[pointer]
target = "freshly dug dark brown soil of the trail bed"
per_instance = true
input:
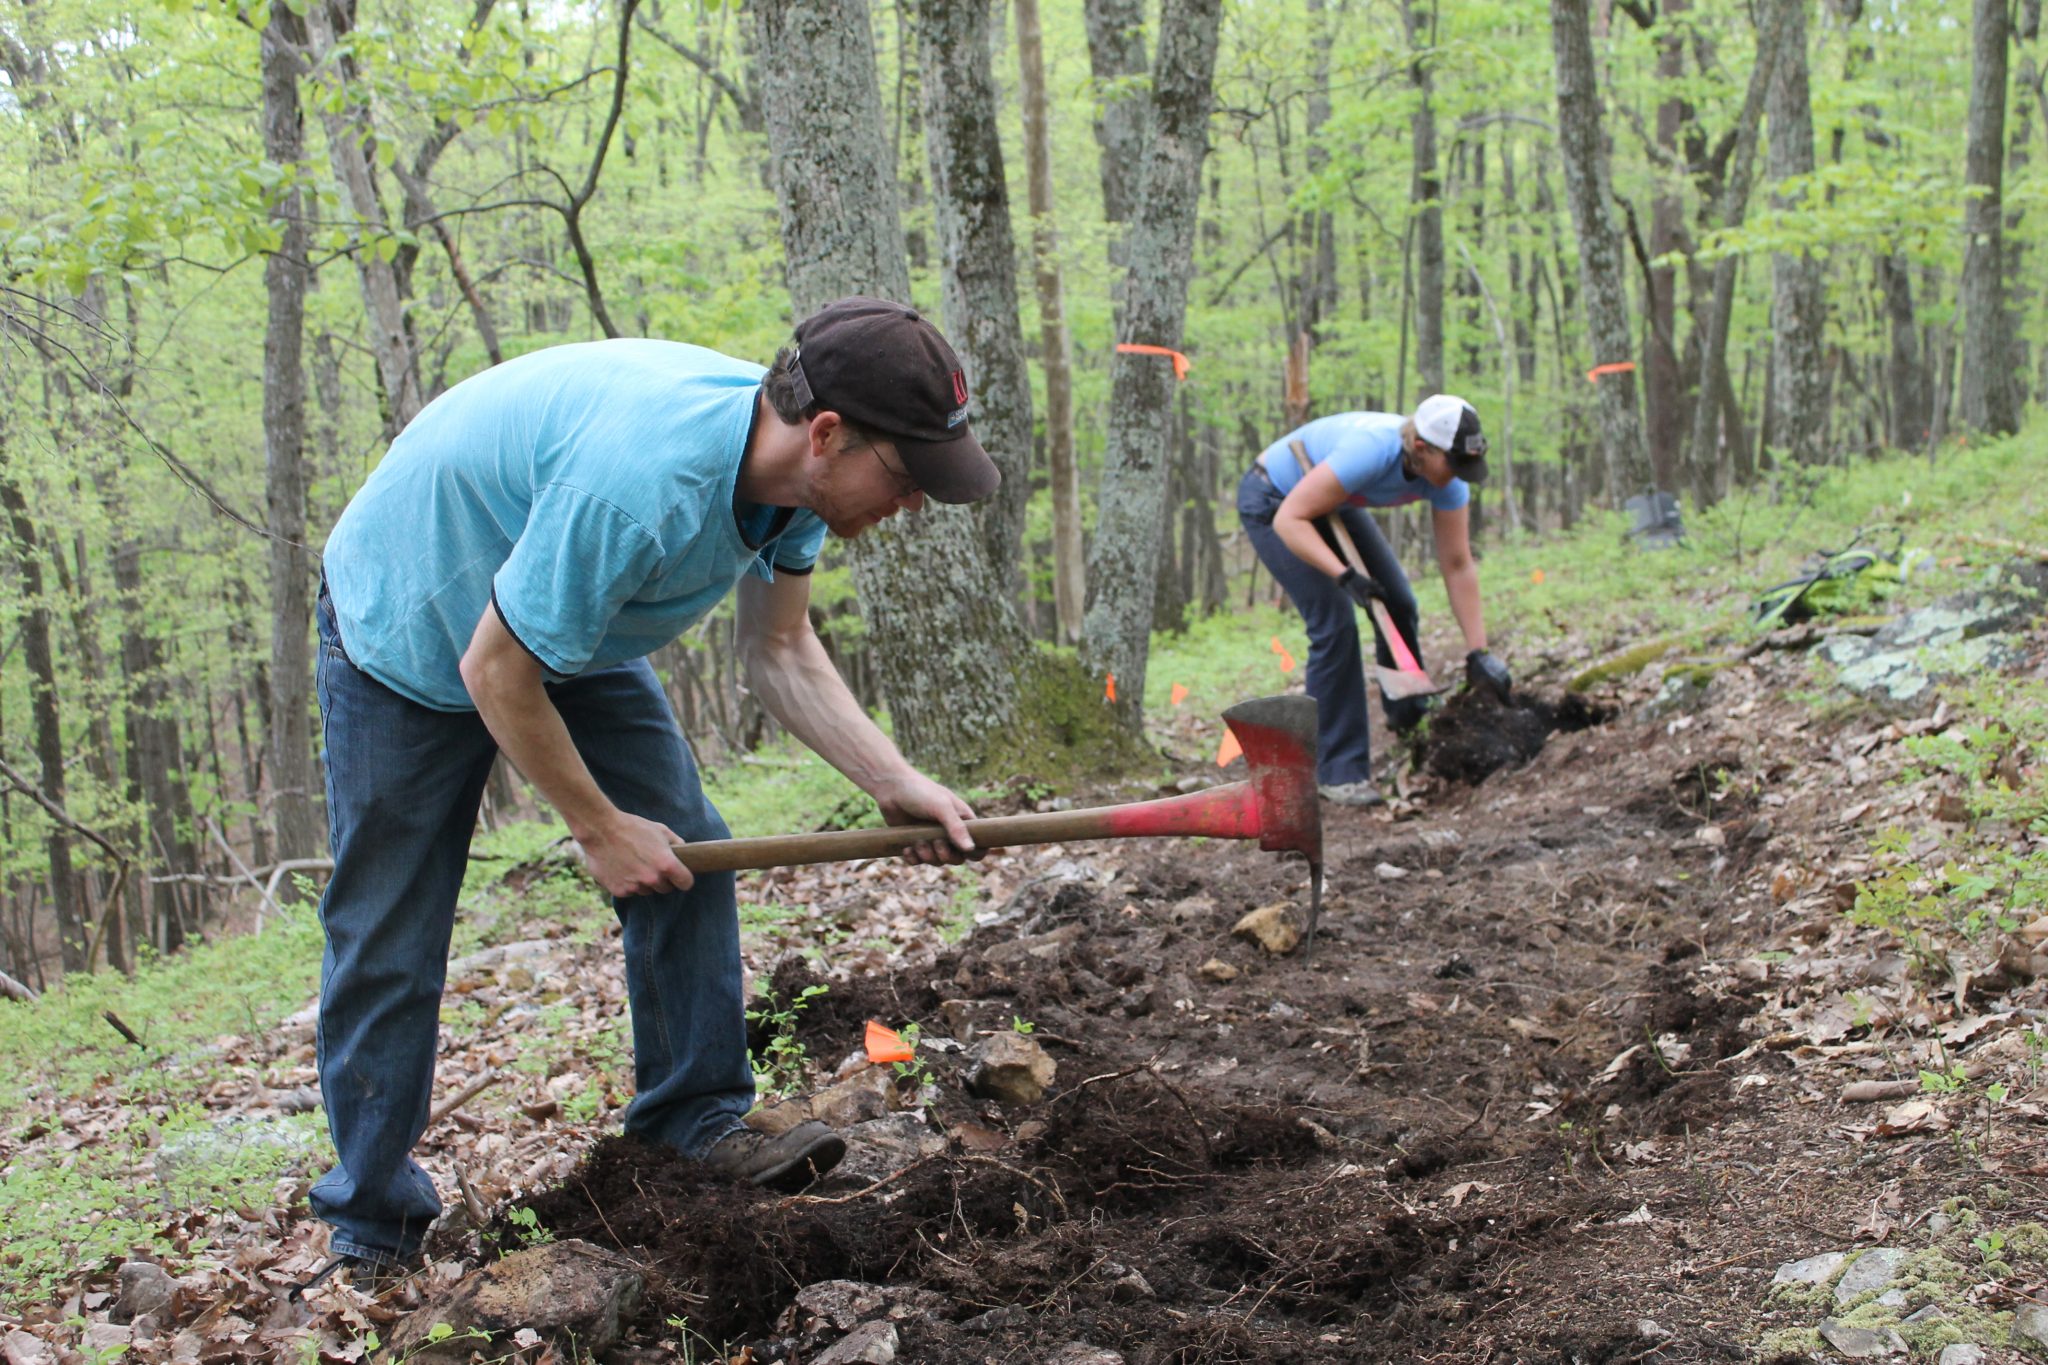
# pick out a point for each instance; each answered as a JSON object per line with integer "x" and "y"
{"x": 1514, "y": 1108}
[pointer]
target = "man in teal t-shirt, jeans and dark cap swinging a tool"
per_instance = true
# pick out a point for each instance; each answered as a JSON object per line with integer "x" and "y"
{"x": 497, "y": 588}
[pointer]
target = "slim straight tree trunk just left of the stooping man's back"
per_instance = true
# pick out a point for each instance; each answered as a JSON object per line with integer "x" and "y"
{"x": 294, "y": 809}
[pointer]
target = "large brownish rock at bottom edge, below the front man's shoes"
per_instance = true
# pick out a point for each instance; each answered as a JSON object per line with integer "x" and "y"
{"x": 572, "y": 1292}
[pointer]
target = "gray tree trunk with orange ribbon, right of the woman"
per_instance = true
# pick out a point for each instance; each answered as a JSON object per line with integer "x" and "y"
{"x": 1603, "y": 269}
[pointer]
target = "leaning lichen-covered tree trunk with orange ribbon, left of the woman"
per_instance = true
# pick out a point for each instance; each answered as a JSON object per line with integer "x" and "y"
{"x": 1125, "y": 556}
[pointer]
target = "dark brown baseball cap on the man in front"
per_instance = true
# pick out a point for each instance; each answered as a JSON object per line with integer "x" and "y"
{"x": 888, "y": 369}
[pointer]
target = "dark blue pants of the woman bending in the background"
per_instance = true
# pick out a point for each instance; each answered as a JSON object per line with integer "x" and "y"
{"x": 1336, "y": 678}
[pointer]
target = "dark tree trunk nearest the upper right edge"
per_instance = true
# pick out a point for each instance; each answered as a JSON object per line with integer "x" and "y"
{"x": 1990, "y": 388}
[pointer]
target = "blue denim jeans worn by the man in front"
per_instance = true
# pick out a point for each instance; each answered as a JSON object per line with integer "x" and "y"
{"x": 404, "y": 785}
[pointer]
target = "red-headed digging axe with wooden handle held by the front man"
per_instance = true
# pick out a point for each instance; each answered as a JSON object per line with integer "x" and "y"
{"x": 1277, "y": 805}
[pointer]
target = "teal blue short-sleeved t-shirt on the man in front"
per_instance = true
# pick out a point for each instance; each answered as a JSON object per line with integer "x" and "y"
{"x": 589, "y": 490}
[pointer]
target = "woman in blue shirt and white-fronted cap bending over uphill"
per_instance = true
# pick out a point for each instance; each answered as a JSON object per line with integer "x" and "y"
{"x": 1359, "y": 461}
